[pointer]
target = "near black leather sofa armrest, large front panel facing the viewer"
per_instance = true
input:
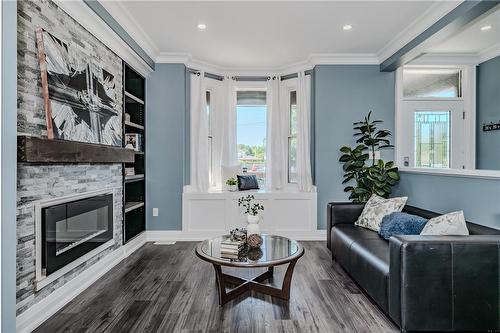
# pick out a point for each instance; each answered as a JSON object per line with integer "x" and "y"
{"x": 448, "y": 283}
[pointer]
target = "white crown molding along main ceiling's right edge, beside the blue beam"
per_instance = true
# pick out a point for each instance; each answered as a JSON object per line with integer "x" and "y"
{"x": 420, "y": 24}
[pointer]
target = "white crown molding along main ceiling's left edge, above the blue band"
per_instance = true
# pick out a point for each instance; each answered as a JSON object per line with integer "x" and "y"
{"x": 123, "y": 16}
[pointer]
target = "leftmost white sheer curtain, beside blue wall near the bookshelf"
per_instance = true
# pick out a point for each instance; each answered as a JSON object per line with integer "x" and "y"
{"x": 199, "y": 135}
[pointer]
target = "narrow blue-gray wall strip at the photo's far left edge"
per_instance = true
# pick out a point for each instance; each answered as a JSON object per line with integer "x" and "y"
{"x": 9, "y": 132}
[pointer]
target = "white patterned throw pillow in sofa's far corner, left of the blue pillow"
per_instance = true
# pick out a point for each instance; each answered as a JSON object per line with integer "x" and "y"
{"x": 376, "y": 208}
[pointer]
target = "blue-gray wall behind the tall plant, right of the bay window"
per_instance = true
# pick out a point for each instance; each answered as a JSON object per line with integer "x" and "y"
{"x": 342, "y": 95}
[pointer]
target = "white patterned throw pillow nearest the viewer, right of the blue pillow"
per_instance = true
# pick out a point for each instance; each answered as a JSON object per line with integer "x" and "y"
{"x": 451, "y": 224}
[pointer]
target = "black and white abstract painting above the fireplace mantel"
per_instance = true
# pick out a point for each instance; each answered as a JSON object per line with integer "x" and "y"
{"x": 80, "y": 96}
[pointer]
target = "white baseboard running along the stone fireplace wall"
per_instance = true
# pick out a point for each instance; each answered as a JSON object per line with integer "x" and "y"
{"x": 43, "y": 310}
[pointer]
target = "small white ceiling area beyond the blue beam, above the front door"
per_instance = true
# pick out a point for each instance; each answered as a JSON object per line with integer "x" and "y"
{"x": 471, "y": 39}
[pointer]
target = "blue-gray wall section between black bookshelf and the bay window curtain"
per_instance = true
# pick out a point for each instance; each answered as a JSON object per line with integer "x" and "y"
{"x": 166, "y": 145}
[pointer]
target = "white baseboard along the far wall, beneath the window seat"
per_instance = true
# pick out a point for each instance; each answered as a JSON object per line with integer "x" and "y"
{"x": 178, "y": 235}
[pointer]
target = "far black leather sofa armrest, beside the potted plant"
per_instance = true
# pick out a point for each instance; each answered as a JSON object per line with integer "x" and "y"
{"x": 341, "y": 213}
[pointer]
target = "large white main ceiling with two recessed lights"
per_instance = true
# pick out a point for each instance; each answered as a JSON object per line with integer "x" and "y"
{"x": 268, "y": 34}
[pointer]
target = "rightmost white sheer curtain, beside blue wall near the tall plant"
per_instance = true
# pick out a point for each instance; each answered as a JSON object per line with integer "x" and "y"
{"x": 304, "y": 179}
